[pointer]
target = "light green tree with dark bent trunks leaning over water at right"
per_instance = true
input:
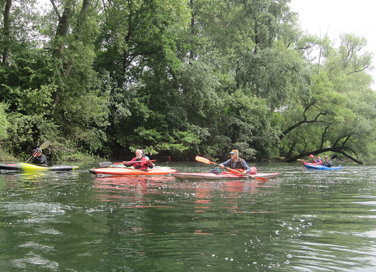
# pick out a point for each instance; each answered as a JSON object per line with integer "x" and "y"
{"x": 333, "y": 116}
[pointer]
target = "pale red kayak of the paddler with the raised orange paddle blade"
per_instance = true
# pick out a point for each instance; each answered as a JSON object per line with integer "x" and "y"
{"x": 224, "y": 176}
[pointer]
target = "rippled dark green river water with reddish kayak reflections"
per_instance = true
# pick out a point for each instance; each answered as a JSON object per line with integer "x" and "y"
{"x": 300, "y": 221}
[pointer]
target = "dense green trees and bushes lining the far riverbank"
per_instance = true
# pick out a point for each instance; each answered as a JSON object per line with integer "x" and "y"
{"x": 105, "y": 77}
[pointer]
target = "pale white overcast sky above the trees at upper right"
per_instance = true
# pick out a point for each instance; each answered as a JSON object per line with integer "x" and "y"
{"x": 337, "y": 17}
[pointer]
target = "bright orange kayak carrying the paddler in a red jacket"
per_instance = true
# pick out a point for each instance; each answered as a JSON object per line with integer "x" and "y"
{"x": 132, "y": 172}
